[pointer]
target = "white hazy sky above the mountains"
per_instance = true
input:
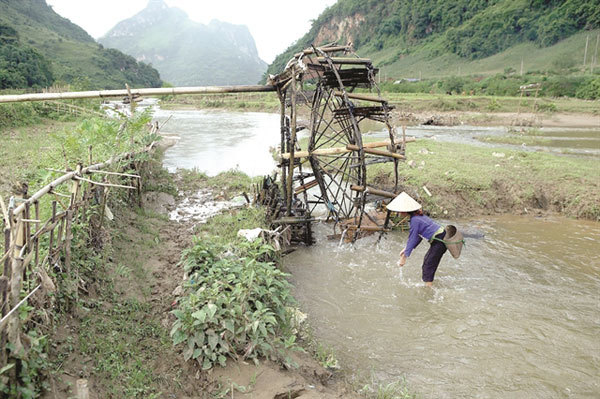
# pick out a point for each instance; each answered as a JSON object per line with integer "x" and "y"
{"x": 274, "y": 24}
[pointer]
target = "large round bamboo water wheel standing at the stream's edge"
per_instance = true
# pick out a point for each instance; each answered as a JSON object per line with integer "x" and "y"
{"x": 318, "y": 93}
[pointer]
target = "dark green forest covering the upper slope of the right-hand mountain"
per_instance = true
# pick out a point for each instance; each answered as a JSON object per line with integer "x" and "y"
{"x": 471, "y": 29}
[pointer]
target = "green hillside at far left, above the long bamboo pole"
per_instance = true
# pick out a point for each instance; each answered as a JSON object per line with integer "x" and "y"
{"x": 38, "y": 47}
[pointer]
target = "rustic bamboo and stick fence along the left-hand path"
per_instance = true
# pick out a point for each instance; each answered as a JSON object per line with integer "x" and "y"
{"x": 32, "y": 246}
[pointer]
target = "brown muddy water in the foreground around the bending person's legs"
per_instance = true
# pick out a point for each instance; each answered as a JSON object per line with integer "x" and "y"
{"x": 517, "y": 316}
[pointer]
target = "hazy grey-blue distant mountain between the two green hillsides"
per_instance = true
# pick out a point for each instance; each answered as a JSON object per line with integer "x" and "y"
{"x": 185, "y": 52}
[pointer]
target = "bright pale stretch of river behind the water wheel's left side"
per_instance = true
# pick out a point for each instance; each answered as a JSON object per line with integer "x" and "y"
{"x": 216, "y": 141}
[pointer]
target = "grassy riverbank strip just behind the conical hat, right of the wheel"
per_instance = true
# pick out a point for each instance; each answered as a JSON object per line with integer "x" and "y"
{"x": 467, "y": 180}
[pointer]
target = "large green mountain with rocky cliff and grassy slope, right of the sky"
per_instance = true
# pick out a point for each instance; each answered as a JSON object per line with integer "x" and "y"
{"x": 440, "y": 37}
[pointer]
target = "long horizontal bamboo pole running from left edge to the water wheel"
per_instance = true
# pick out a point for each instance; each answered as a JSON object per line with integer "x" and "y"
{"x": 136, "y": 92}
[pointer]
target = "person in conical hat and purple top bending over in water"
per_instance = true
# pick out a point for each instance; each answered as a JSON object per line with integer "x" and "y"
{"x": 421, "y": 227}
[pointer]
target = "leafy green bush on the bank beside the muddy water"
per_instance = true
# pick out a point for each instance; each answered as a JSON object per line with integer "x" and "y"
{"x": 235, "y": 305}
